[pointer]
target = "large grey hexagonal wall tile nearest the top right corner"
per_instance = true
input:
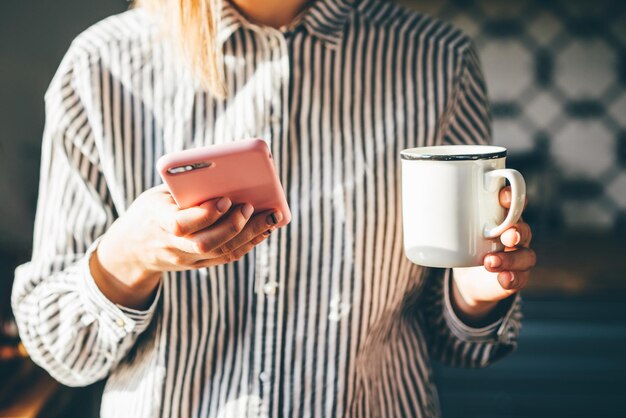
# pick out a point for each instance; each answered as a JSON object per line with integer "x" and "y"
{"x": 586, "y": 68}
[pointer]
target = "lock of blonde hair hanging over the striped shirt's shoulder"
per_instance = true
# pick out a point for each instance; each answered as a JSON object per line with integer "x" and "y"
{"x": 192, "y": 25}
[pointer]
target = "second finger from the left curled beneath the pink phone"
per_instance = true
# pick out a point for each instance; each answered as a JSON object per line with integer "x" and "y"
{"x": 208, "y": 240}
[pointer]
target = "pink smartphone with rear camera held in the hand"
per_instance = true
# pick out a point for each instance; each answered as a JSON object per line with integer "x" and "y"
{"x": 242, "y": 170}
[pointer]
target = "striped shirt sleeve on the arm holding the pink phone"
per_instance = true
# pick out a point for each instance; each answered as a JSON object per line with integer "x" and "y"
{"x": 66, "y": 324}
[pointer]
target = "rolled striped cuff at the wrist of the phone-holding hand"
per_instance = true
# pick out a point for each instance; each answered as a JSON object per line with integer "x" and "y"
{"x": 114, "y": 317}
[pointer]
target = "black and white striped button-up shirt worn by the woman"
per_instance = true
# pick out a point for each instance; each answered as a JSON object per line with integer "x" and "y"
{"x": 326, "y": 318}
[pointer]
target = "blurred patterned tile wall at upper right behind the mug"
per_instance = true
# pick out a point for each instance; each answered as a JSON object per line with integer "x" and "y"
{"x": 556, "y": 72}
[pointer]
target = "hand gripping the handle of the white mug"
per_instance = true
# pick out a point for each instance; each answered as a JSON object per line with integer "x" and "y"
{"x": 477, "y": 290}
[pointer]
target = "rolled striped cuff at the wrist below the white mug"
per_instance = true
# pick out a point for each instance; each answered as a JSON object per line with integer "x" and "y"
{"x": 504, "y": 330}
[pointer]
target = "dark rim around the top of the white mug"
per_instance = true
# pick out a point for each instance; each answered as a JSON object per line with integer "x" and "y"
{"x": 454, "y": 153}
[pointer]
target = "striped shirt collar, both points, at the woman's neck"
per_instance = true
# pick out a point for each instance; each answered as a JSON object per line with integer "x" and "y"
{"x": 324, "y": 19}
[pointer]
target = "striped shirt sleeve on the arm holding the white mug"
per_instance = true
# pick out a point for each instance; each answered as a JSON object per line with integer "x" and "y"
{"x": 467, "y": 121}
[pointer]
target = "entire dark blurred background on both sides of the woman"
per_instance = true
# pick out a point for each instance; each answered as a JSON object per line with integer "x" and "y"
{"x": 556, "y": 72}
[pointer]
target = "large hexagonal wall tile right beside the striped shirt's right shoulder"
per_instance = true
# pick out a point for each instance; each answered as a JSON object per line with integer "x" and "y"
{"x": 508, "y": 68}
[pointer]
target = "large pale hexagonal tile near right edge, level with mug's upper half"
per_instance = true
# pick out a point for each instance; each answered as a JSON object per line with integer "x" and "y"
{"x": 584, "y": 148}
